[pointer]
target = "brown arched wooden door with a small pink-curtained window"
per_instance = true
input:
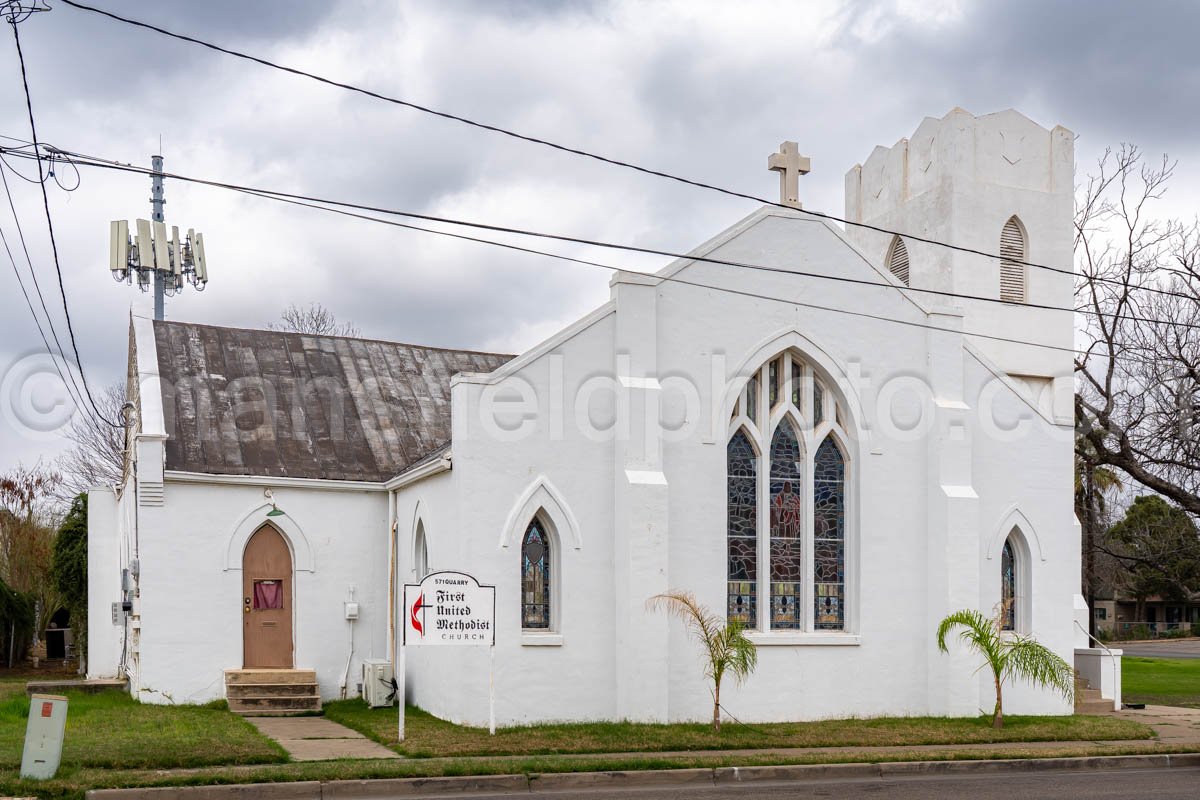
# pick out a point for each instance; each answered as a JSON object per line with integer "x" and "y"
{"x": 267, "y": 601}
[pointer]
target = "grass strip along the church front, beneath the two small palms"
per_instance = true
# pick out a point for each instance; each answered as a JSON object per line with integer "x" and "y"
{"x": 429, "y": 737}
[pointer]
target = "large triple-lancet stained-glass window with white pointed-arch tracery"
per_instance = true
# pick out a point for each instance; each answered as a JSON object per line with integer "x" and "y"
{"x": 787, "y": 489}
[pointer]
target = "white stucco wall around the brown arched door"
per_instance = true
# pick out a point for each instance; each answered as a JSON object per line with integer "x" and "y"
{"x": 190, "y": 603}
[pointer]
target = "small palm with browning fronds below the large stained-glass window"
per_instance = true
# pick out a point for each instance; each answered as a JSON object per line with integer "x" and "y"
{"x": 727, "y": 647}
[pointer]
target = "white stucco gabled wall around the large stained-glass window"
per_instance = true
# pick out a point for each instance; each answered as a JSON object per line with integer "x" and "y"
{"x": 926, "y": 507}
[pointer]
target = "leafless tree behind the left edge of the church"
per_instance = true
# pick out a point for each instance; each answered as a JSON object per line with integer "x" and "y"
{"x": 98, "y": 453}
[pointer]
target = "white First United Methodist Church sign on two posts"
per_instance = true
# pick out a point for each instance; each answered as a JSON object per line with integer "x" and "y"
{"x": 451, "y": 610}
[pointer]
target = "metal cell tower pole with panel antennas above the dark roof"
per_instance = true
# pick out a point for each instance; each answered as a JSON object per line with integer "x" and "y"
{"x": 152, "y": 257}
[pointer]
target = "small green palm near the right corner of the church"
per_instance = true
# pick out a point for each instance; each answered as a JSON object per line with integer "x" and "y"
{"x": 1009, "y": 657}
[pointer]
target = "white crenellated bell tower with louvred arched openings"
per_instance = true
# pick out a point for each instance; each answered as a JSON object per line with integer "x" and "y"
{"x": 999, "y": 184}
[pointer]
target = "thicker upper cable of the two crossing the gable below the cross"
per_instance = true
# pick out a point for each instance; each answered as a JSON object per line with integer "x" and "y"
{"x": 92, "y": 161}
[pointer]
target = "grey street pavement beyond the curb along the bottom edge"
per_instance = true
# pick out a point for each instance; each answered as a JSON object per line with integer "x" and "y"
{"x": 1177, "y": 784}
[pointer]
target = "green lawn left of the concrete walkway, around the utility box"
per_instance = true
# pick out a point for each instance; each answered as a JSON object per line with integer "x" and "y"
{"x": 113, "y": 731}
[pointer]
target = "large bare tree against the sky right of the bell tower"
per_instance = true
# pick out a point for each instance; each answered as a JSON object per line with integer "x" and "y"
{"x": 1139, "y": 375}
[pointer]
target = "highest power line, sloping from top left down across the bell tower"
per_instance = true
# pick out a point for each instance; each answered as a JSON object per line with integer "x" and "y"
{"x": 547, "y": 143}
